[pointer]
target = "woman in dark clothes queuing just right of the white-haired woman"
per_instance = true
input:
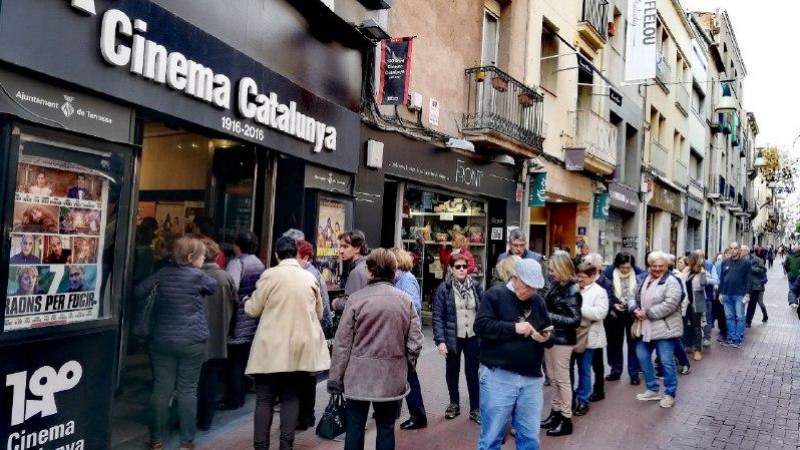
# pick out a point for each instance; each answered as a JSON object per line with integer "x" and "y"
{"x": 695, "y": 281}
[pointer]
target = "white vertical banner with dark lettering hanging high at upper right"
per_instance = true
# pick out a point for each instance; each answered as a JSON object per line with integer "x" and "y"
{"x": 640, "y": 63}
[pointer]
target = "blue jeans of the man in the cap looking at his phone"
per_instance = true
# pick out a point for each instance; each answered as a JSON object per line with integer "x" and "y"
{"x": 507, "y": 395}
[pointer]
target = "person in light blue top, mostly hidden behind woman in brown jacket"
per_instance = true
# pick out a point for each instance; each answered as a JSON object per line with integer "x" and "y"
{"x": 407, "y": 282}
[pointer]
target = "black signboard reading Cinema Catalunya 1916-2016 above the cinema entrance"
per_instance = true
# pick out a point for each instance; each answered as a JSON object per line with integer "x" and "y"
{"x": 186, "y": 73}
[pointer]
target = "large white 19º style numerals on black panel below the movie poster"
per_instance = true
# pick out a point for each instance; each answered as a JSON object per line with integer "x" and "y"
{"x": 44, "y": 383}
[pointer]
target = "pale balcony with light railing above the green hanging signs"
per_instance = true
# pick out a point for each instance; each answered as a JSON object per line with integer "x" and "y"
{"x": 598, "y": 136}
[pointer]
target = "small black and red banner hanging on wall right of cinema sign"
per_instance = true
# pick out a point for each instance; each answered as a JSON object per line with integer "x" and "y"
{"x": 395, "y": 71}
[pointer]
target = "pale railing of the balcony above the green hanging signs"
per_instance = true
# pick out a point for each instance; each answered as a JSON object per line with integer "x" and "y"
{"x": 595, "y": 133}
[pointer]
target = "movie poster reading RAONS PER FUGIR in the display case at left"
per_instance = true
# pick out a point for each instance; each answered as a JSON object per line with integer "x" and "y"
{"x": 60, "y": 211}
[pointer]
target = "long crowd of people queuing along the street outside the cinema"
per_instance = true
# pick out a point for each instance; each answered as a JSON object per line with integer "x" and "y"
{"x": 542, "y": 322}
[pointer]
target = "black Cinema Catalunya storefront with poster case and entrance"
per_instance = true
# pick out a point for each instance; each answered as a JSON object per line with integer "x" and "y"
{"x": 130, "y": 109}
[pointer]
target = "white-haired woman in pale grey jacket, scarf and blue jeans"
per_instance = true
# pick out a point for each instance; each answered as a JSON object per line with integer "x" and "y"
{"x": 657, "y": 306}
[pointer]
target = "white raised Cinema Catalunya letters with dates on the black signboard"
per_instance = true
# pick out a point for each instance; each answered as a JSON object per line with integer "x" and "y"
{"x": 123, "y": 44}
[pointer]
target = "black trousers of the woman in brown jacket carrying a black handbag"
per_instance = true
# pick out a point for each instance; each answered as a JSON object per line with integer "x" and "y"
{"x": 386, "y": 414}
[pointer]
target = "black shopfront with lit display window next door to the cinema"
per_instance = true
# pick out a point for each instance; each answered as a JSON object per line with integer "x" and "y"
{"x": 428, "y": 194}
